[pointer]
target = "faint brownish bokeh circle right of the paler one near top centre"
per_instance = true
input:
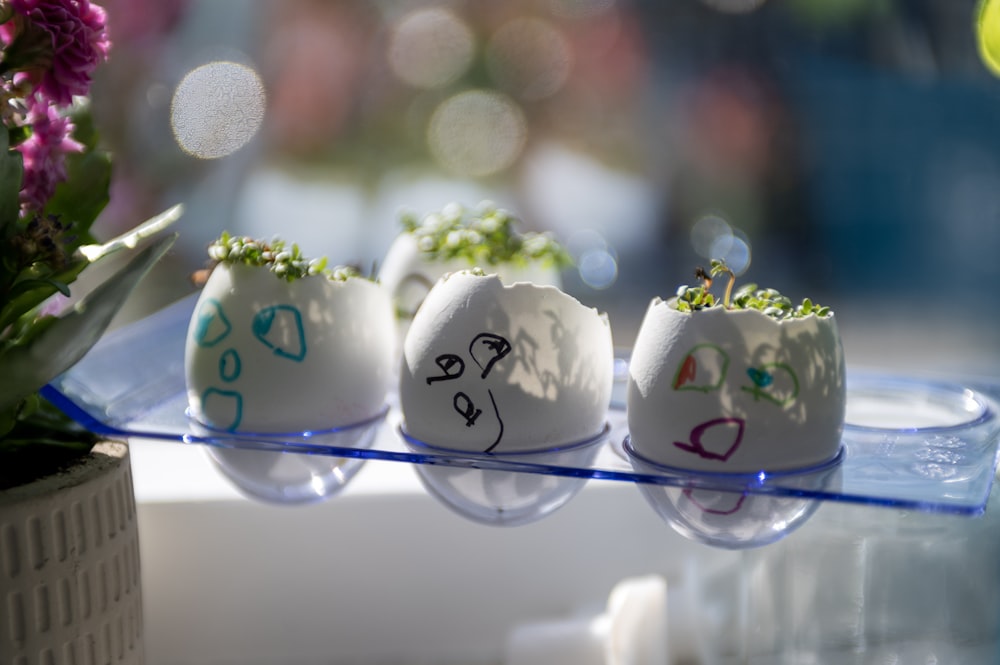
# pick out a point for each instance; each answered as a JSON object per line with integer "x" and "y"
{"x": 529, "y": 57}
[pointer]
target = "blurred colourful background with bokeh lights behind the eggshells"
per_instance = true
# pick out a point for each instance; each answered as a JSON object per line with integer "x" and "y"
{"x": 844, "y": 150}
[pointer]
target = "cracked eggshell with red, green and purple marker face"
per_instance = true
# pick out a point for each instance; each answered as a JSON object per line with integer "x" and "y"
{"x": 735, "y": 390}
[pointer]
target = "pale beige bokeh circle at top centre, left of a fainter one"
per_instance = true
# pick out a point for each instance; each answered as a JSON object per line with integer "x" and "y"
{"x": 430, "y": 48}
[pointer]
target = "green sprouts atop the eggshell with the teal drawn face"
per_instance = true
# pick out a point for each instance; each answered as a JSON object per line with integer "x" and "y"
{"x": 285, "y": 261}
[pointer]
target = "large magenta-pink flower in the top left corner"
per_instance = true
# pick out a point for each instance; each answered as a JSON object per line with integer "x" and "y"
{"x": 79, "y": 41}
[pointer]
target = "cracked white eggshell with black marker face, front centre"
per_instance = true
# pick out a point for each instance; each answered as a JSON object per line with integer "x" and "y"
{"x": 494, "y": 368}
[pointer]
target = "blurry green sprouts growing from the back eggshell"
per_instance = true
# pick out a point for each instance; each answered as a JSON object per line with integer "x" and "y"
{"x": 483, "y": 236}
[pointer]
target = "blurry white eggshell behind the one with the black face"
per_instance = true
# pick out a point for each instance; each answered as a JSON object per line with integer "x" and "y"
{"x": 409, "y": 275}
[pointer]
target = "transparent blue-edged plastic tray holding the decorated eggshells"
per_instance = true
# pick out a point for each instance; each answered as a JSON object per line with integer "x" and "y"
{"x": 911, "y": 443}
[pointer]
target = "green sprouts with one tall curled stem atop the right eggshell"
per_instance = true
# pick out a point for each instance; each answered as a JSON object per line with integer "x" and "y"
{"x": 748, "y": 296}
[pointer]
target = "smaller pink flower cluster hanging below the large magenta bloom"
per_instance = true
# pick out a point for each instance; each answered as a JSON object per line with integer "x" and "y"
{"x": 45, "y": 152}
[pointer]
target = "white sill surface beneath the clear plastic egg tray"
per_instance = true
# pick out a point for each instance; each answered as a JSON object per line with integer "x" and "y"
{"x": 381, "y": 573}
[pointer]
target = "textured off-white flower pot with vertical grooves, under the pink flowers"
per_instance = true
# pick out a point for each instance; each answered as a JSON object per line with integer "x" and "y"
{"x": 69, "y": 566}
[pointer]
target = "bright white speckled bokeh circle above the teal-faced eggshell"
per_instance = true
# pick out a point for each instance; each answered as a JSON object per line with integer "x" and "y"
{"x": 217, "y": 108}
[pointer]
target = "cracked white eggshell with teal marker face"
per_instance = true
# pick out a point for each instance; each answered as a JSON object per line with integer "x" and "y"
{"x": 266, "y": 355}
